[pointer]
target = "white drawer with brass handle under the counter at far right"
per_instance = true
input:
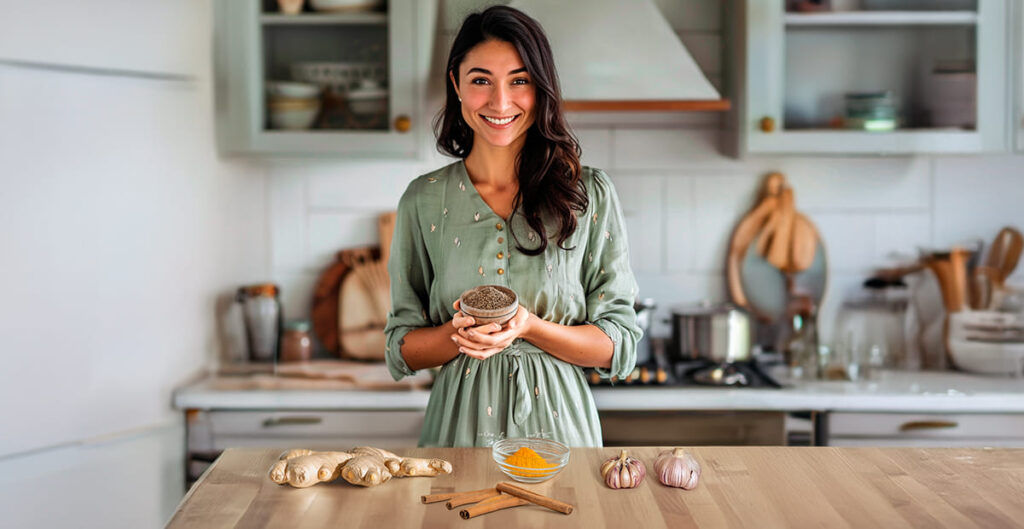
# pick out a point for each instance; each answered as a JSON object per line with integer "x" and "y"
{"x": 850, "y": 429}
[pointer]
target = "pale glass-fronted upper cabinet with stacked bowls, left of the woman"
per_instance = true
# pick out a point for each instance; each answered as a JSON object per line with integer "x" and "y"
{"x": 339, "y": 77}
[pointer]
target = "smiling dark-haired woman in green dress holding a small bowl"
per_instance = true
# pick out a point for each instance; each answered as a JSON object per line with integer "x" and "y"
{"x": 518, "y": 211}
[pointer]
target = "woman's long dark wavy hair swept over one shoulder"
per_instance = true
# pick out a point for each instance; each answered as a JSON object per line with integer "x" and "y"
{"x": 548, "y": 167}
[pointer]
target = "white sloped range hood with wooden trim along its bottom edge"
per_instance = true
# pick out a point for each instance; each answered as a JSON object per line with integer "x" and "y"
{"x": 621, "y": 56}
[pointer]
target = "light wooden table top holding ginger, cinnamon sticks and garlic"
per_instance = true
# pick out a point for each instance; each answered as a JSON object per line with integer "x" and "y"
{"x": 740, "y": 488}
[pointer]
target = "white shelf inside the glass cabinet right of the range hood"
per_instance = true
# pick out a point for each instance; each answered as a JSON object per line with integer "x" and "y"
{"x": 870, "y": 19}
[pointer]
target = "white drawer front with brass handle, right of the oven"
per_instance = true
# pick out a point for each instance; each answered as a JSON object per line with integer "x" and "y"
{"x": 926, "y": 426}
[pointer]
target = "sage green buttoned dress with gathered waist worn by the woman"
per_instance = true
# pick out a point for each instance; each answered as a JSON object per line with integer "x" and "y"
{"x": 448, "y": 240}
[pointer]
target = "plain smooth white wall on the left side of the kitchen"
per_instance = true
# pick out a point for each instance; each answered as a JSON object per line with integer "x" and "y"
{"x": 120, "y": 228}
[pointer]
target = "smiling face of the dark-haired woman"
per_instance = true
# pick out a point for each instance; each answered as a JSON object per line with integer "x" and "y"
{"x": 497, "y": 93}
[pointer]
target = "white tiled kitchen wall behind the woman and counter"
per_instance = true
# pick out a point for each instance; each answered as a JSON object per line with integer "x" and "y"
{"x": 681, "y": 197}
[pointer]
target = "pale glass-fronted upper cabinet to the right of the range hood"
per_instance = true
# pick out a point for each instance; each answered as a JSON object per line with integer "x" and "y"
{"x": 872, "y": 77}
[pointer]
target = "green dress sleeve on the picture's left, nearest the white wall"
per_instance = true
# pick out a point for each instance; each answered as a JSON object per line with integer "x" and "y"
{"x": 411, "y": 276}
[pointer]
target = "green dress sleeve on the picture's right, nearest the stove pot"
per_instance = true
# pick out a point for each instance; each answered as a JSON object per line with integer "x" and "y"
{"x": 608, "y": 278}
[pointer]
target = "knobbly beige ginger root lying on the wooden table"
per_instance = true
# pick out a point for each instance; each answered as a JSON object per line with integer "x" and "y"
{"x": 364, "y": 466}
